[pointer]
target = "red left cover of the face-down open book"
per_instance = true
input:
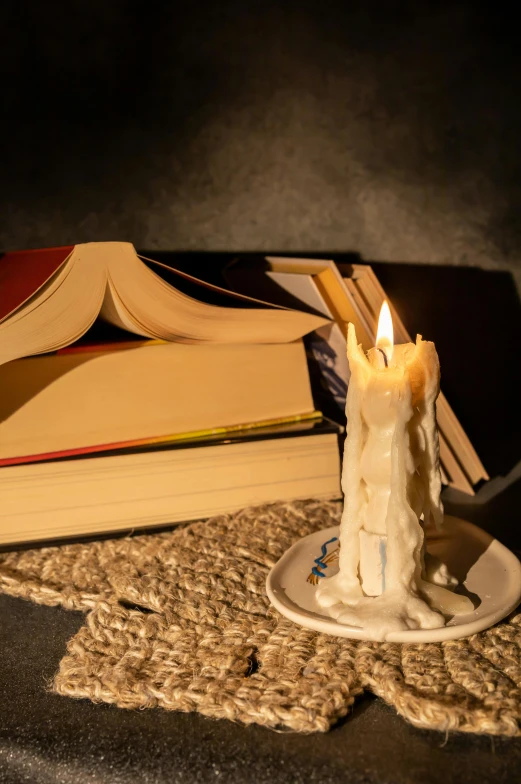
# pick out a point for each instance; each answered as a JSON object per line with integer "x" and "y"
{"x": 24, "y": 272}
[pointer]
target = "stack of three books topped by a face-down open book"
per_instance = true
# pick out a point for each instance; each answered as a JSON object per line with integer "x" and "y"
{"x": 178, "y": 409}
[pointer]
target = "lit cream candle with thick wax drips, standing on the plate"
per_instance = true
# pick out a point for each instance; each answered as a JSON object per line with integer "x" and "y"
{"x": 391, "y": 483}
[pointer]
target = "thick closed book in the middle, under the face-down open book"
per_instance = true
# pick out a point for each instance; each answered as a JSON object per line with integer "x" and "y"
{"x": 94, "y": 398}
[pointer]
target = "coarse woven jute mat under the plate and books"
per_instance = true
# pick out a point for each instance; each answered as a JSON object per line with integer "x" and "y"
{"x": 181, "y": 620}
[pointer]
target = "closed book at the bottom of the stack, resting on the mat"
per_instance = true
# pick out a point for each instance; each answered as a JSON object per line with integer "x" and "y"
{"x": 143, "y": 487}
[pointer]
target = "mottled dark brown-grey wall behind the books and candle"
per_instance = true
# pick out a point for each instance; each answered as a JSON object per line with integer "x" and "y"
{"x": 262, "y": 125}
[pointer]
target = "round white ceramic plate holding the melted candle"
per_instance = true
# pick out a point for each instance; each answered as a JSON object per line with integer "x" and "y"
{"x": 490, "y": 574}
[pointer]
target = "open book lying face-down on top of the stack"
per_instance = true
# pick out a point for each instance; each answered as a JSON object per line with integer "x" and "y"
{"x": 50, "y": 298}
